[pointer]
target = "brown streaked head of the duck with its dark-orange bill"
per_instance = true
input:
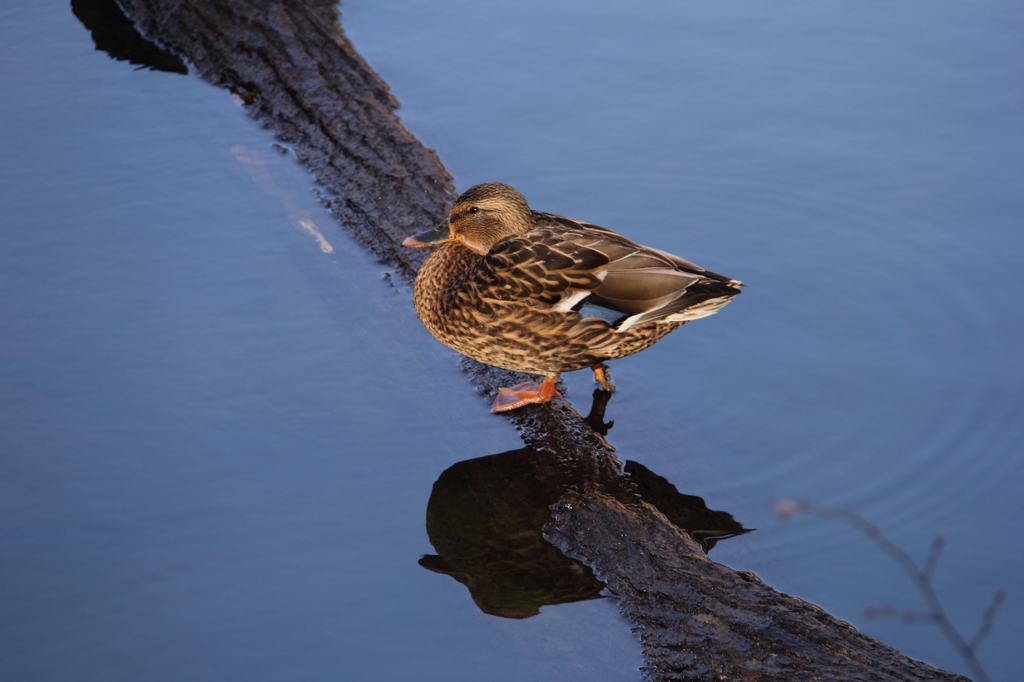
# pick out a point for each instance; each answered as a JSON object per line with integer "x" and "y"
{"x": 482, "y": 217}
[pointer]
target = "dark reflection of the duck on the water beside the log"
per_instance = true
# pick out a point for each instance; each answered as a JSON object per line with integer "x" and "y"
{"x": 487, "y": 518}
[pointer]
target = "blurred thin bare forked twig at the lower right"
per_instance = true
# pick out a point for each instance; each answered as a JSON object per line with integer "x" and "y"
{"x": 922, "y": 577}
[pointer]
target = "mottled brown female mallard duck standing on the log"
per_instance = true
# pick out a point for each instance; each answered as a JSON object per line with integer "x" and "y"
{"x": 539, "y": 293}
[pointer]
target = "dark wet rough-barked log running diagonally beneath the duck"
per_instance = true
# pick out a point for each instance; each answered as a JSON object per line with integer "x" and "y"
{"x": 698, "y": 620}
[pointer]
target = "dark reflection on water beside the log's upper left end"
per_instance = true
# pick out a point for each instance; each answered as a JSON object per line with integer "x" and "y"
{"x": 115, "y": 34}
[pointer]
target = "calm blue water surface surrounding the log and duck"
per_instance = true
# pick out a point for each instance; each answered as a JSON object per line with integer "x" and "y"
{"x": 220, "y": 441}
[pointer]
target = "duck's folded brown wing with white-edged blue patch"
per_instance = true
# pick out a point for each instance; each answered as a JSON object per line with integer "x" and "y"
{"x": 571, "y": 266}
